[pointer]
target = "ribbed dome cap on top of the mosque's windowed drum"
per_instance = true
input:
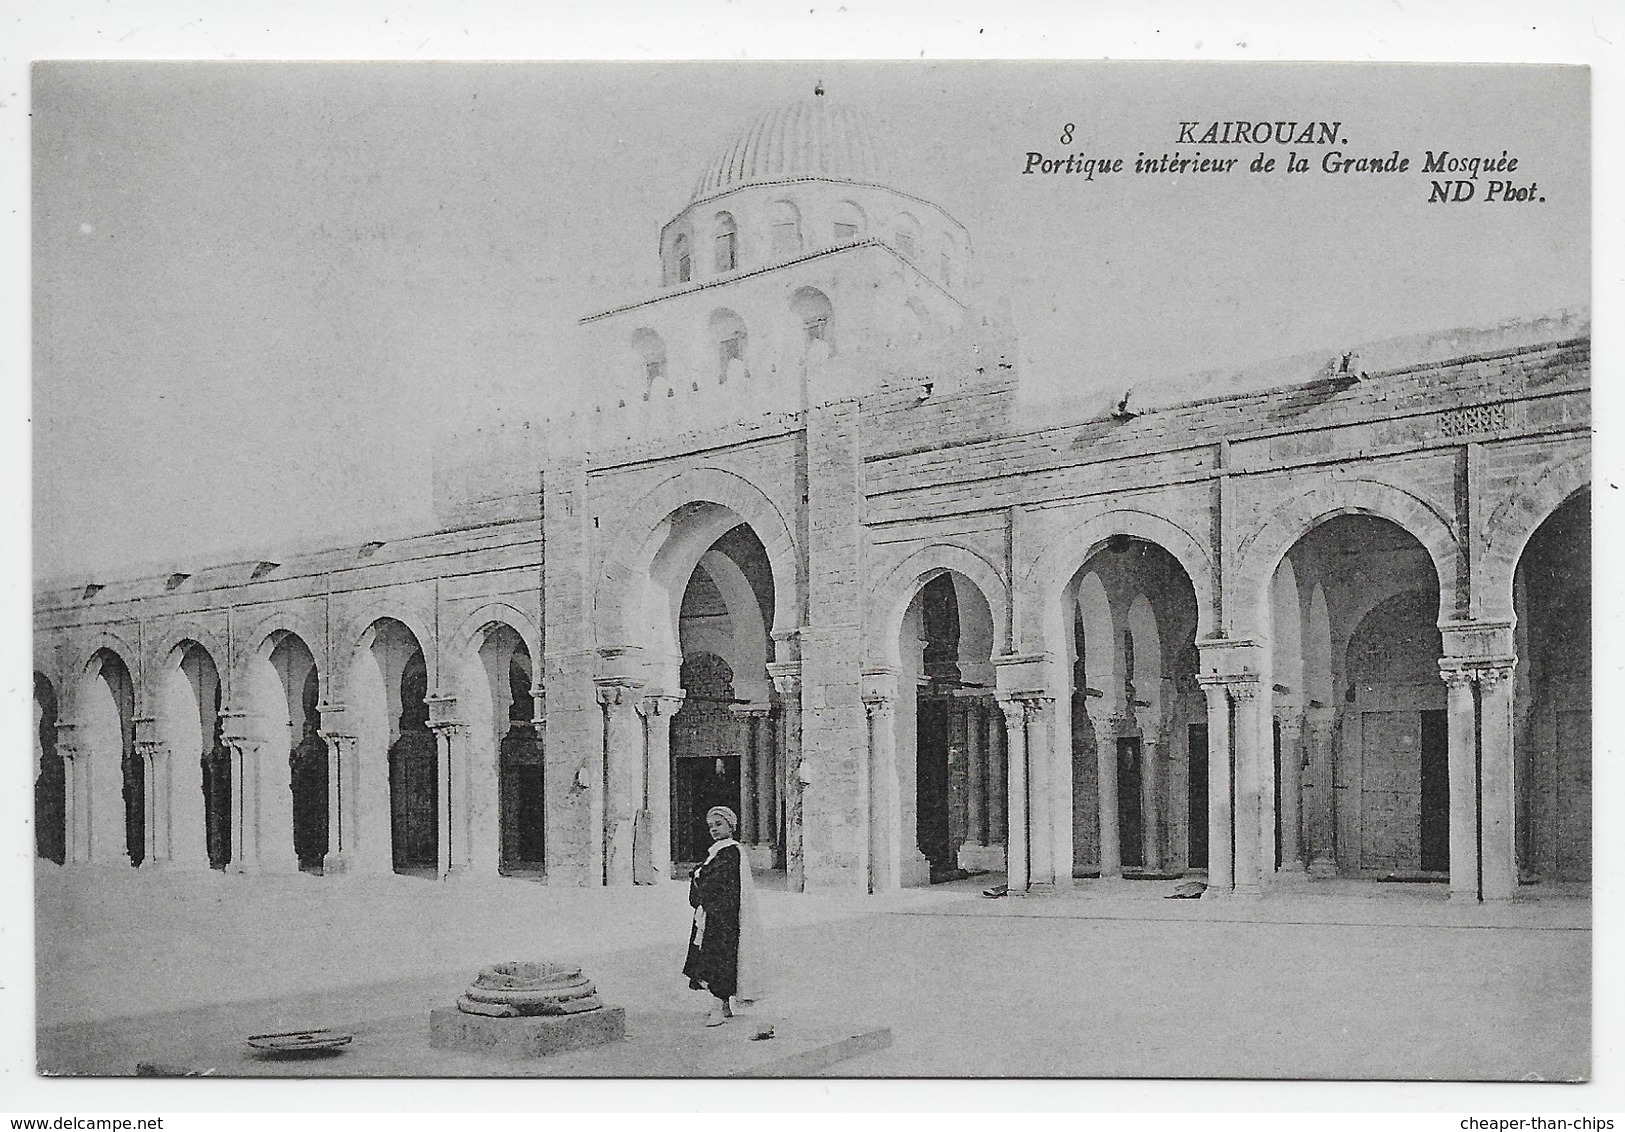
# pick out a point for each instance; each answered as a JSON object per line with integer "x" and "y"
{"x": 808, "y": 139}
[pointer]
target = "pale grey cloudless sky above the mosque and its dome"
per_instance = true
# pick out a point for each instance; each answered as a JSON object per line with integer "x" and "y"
{"x": 262, "y": 292}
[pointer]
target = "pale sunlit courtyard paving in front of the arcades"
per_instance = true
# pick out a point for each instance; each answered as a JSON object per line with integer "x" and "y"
{"x": 1106, "y": 982}
